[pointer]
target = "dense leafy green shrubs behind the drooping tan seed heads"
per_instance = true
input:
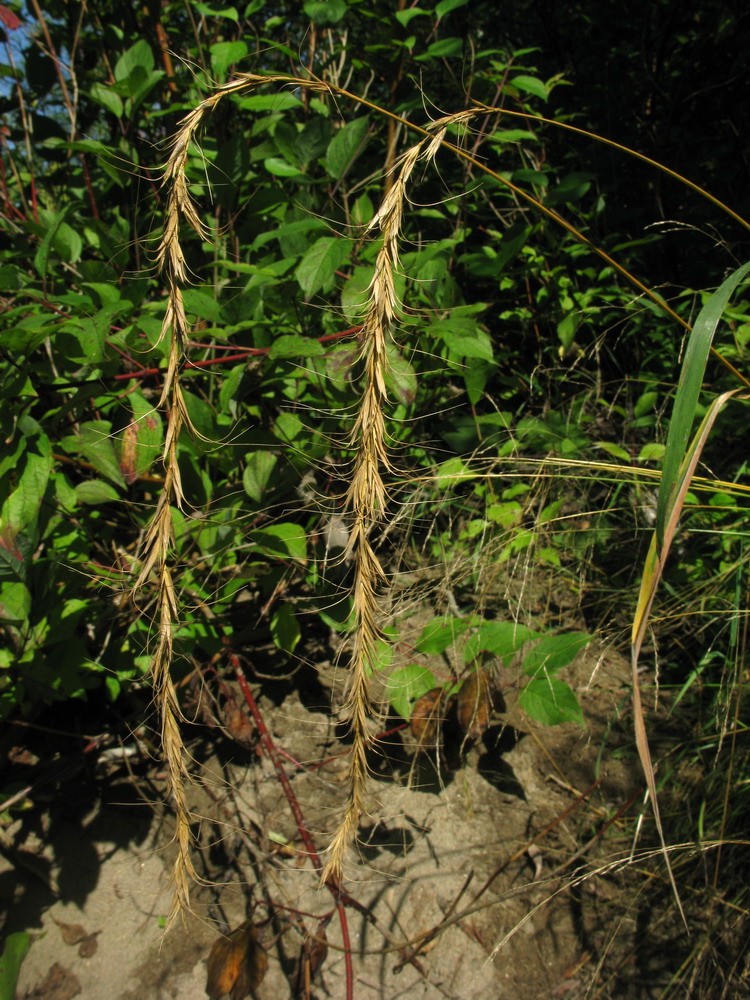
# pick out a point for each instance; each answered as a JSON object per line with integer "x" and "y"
{"x": 527, "y": 381}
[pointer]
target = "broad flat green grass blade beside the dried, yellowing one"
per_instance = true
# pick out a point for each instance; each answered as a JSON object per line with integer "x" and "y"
{"x": 688, "y": 390}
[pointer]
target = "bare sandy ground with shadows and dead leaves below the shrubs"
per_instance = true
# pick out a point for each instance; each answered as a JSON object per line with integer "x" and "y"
{"x": 98, "y": 856}
